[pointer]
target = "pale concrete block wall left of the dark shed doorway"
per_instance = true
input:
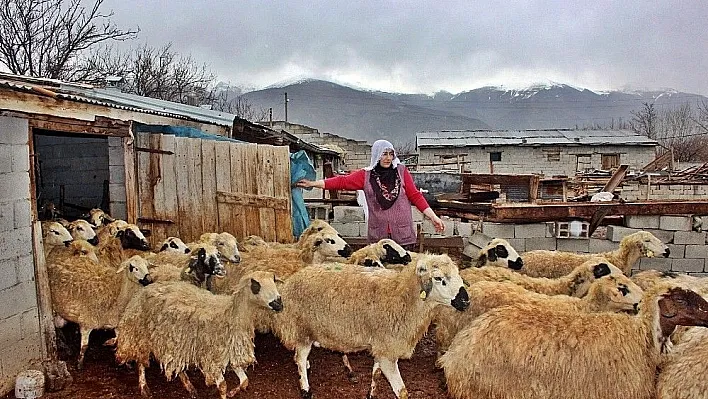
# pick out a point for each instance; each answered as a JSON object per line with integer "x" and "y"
{"x": 20, "y": 342}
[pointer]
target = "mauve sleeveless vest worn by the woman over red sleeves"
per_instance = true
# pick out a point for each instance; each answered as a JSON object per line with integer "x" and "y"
{"x": 398, "y": 218}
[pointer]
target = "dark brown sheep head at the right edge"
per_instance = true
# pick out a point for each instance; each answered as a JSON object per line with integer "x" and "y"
{"x": 681, "y": 307}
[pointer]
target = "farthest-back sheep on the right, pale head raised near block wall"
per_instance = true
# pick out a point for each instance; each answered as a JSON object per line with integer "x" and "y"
{"x": 544, "y": 263}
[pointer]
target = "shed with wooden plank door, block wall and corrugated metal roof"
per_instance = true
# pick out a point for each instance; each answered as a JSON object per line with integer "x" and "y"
{"x": 171, "y": 168}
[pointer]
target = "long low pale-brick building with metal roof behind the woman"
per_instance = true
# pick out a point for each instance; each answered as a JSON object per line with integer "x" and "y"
{"x": 547, "y": 152}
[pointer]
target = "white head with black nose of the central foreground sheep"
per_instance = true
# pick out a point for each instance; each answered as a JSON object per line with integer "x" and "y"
{"x": 440, "y": 281}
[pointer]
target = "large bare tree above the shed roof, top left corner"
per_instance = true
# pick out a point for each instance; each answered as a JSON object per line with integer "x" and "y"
{"x": 43, "y": 38}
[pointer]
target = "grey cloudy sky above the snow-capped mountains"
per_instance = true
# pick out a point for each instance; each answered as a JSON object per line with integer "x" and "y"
{"x": 426, "y": 46}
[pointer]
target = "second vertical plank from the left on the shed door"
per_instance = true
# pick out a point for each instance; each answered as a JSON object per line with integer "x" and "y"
{"x": 166, "y": 190}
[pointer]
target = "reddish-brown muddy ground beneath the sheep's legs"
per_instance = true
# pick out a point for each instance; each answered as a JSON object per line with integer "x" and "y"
{"x": 274, "y": 376}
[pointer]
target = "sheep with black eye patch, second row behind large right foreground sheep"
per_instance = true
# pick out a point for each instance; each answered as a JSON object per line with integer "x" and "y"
{"x": 575, "y": 284}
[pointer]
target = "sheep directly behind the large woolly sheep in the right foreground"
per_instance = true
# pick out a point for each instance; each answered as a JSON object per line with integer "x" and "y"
{"x": 614, "y": 293}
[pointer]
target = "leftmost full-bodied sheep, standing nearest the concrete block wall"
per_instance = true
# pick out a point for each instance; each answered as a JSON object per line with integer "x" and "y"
{"x": 95, "y": 296}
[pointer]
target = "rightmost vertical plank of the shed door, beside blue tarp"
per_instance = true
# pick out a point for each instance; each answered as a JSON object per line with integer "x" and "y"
{"x": 281, "y": 186}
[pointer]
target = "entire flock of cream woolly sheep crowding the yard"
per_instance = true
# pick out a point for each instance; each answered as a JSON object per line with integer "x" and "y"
{"x": 545, "y": 325}
